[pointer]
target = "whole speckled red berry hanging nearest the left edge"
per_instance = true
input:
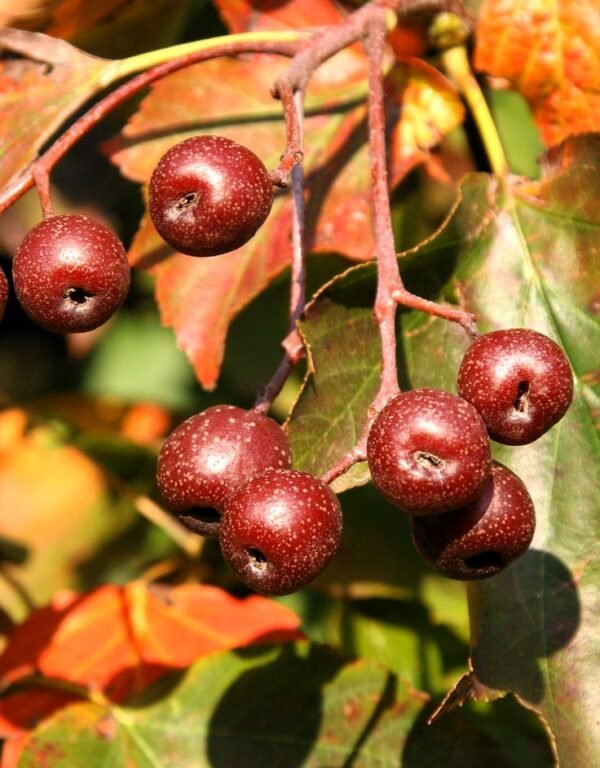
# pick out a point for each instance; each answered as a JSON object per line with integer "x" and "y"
{"x": 70, "y": 273}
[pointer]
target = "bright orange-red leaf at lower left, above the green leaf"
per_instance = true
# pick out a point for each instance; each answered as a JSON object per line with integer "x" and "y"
{"x": 120, "y": 639}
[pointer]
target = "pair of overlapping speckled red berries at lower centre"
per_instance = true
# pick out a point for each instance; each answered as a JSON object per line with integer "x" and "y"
{"x": 226, "y": 472}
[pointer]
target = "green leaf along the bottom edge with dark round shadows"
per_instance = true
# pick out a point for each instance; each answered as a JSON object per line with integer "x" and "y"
{"x": 295, "y": 705}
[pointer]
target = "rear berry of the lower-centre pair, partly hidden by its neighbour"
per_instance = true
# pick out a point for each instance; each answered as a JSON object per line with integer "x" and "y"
{"x": 207, "y": 457}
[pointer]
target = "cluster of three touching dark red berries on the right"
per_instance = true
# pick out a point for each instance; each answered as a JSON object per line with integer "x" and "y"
{"x": 429, "y": 451}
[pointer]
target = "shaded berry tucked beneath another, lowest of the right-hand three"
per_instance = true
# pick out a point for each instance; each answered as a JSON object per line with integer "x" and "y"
{"x": 482, "y": 538}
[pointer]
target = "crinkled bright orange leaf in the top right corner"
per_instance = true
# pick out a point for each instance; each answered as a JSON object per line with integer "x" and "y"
{"x": 550, "y": 52}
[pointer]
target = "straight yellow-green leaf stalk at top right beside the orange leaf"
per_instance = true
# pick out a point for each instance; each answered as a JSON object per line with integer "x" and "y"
{"x": 458, "y": 69}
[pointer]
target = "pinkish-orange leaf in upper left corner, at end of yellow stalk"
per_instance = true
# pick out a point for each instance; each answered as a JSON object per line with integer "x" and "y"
{"x": 38, "y": 92}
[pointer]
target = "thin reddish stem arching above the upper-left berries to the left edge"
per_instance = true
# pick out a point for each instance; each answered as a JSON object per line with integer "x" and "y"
{"x": 46, "y": 162}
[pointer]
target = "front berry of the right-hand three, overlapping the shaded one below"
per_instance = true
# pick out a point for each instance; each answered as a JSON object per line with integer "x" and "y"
{"x": 429, "y": 451}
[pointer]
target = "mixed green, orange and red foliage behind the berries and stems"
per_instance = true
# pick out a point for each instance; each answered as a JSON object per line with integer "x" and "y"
{"x": 126, "y": 640}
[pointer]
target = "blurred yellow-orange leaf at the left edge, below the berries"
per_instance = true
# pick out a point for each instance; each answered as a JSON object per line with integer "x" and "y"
{"x": 55, "y": 501}
